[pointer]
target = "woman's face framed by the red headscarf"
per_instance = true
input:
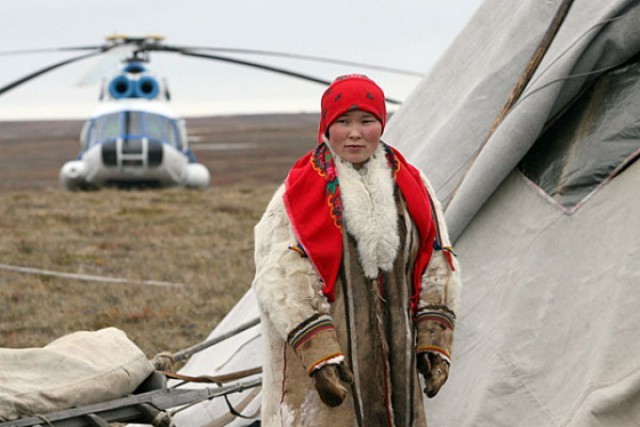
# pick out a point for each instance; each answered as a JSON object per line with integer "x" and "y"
{"x": 355, "y": 136}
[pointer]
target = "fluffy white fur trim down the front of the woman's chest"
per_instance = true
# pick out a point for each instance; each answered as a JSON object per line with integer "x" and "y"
{"x": 370, "y": 213}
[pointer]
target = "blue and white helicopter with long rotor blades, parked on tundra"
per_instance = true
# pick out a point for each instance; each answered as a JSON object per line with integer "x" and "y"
{"x": 133, "y": 138}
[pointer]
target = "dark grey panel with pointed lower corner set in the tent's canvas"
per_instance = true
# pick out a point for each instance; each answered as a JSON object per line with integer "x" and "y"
{"x": 593, "y": 141}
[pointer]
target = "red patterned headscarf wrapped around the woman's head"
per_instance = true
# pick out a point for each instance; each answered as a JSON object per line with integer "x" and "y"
{"x": 347, "y": 93}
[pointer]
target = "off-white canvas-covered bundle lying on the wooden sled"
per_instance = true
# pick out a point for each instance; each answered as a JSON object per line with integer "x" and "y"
{"x": 77, "y": 369}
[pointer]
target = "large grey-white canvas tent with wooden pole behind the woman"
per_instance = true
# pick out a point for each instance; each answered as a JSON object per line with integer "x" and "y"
{"x": 528, "y": 128}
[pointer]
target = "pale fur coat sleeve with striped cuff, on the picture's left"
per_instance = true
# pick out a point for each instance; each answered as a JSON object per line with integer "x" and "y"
{"x": 289, "y": 291}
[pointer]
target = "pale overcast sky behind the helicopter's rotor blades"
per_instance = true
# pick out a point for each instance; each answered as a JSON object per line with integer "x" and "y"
{"x": 407, "y": 34}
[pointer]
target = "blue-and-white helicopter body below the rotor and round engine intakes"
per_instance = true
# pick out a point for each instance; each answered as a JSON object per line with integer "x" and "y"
{"x": 134, "y": 141}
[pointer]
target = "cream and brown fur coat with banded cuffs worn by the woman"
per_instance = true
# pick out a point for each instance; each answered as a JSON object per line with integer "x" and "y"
{"x": 370, "y": 326}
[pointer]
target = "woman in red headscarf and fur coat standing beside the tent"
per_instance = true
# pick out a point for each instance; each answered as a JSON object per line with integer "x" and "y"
{"x": 356, "y": 283}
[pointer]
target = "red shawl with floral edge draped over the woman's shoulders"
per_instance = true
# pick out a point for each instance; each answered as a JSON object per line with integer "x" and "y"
{"x": 313, "y": 204}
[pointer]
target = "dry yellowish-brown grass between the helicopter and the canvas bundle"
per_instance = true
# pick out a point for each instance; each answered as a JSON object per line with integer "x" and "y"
{"x": 202, "y": 239}
